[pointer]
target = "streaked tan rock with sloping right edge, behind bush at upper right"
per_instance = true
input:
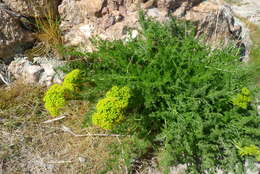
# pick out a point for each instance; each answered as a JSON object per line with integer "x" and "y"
{"x": 219, "y": 27}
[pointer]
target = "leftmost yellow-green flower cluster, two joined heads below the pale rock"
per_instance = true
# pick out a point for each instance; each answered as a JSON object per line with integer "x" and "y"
{"x": 55, "y": 97}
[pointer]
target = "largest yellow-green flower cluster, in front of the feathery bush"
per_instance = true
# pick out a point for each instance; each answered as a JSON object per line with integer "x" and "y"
{"x": 110, "y": 110}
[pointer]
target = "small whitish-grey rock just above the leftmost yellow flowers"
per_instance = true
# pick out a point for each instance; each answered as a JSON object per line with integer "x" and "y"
{"x": 41, "y": 70}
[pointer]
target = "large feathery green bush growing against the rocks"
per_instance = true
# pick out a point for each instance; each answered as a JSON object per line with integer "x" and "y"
{"x": 183, "y": 90}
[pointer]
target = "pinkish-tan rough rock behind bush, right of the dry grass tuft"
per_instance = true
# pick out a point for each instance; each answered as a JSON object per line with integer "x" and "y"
{"x": 83, "y": 19}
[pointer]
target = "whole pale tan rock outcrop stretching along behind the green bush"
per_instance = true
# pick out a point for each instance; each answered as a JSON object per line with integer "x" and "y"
{"x": 111, "y": 19}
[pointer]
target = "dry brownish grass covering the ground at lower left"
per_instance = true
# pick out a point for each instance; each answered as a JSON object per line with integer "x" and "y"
{"x": 29, "y": 145}
